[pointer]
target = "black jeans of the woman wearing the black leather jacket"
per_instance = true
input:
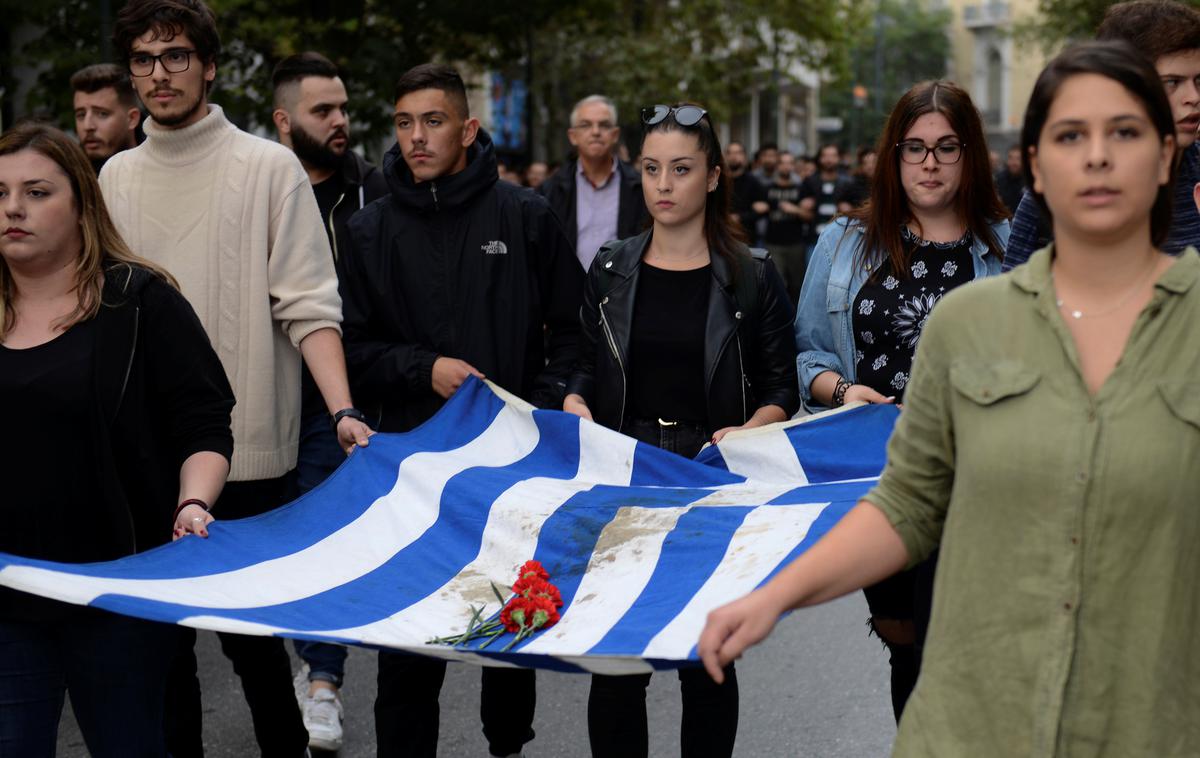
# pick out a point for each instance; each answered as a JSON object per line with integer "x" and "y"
{"x": 617, "y": 725}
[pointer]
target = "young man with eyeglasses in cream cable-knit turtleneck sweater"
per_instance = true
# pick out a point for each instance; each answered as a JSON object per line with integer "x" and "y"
{"x": 235, "y": 219}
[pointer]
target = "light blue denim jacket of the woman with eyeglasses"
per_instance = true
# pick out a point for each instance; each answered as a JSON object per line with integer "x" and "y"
{"x": 825, "y": 328}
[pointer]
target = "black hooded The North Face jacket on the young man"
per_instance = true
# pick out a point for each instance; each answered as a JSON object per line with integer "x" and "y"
{"x": 463, "y": 267}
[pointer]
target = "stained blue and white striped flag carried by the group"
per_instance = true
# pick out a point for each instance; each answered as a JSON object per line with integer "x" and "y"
{"x": 410, "y": 534}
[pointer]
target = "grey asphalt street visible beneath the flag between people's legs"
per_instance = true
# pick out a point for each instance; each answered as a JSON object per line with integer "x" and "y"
{"x": 819, "y": 688}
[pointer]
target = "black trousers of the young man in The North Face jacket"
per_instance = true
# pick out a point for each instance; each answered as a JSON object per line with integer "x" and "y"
{"x": 407, "y": 709}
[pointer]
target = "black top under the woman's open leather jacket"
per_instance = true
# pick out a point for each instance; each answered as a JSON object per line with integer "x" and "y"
{"x": 667, "y": 346}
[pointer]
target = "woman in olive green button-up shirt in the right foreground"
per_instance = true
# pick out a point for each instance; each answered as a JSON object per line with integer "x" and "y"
{"x": 1048, "y": 444}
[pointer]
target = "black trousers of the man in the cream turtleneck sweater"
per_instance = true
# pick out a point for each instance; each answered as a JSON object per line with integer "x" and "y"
{"x": 261, "y": 663}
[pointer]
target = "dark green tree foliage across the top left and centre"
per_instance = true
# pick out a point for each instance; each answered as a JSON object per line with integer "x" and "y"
{"x": 639, "y": 52}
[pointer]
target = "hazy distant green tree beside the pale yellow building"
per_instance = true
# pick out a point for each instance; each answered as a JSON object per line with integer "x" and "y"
{"x": 897, "y": 44}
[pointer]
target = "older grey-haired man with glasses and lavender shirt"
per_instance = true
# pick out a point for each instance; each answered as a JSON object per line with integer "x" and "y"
{"x": 597, "y": 197}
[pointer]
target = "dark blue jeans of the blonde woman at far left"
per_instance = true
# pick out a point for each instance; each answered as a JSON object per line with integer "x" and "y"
{"x": 115, "y": 667}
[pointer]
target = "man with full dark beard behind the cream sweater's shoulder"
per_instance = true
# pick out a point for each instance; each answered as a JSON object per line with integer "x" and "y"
{"x": 311, "y": 118}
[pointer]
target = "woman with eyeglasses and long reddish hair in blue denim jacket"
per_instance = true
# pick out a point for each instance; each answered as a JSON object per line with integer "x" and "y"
{"x": 934, "y": 222}
